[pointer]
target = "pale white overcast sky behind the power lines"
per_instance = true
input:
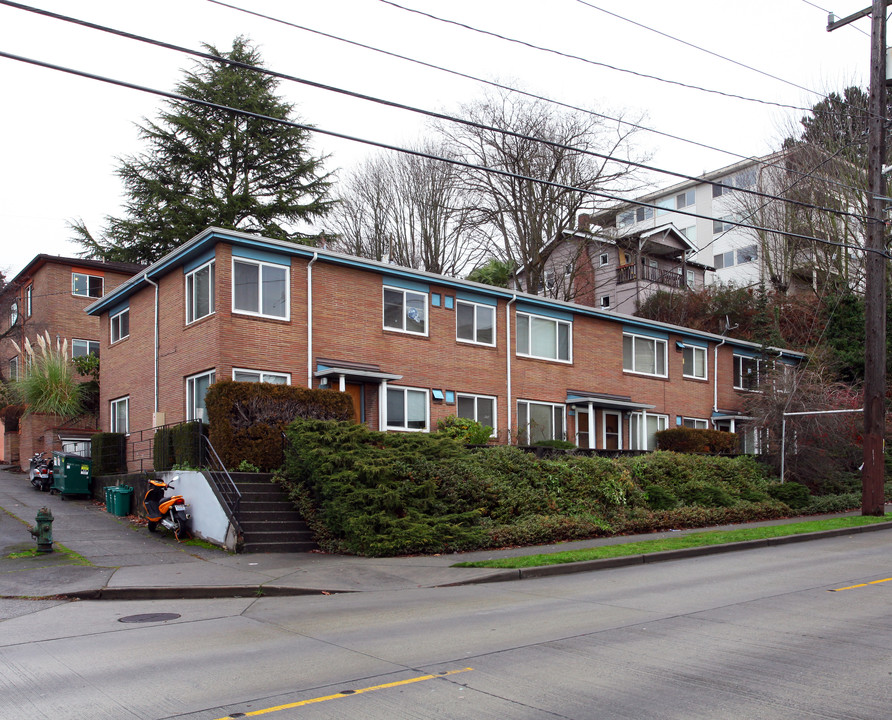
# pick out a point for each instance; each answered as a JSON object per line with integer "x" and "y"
{"x": 61, "y": 134}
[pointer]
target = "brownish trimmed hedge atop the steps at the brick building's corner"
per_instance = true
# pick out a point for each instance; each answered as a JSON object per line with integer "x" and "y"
{"x": 247, "y": 420}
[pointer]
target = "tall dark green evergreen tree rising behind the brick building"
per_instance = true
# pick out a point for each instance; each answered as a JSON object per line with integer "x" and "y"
{"x": 207, "y": 166}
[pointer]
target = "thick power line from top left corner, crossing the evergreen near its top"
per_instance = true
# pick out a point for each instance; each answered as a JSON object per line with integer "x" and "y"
{"x": 396, "y": 105}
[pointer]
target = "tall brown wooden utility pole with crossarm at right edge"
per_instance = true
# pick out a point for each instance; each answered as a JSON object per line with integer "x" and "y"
{"x": 872, "y": 477}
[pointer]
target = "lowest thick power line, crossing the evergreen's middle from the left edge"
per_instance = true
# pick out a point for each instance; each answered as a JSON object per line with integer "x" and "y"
{"x": 407, "y": 151}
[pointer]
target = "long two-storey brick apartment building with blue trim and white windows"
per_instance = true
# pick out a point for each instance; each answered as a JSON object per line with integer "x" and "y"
{"x": 410, "y": 347}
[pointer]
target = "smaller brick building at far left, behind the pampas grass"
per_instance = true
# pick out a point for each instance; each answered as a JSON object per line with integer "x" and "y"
{"x": 49, "y": 295}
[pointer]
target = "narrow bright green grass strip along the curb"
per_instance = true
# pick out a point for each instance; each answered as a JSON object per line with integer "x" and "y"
{"x": 701, "y": 539}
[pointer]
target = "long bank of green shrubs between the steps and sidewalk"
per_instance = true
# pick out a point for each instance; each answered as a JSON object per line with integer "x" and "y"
{"x": 372, "y": 493}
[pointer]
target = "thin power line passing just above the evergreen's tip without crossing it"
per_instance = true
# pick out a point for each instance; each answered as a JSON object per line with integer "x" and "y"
{"x": 501, "y": 86}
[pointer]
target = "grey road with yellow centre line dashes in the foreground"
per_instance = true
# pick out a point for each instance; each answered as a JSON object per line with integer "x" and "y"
{"x": 763, "y": 634}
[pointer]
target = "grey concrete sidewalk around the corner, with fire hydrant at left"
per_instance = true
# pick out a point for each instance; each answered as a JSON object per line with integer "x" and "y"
{"x": 127, "y": 562}
